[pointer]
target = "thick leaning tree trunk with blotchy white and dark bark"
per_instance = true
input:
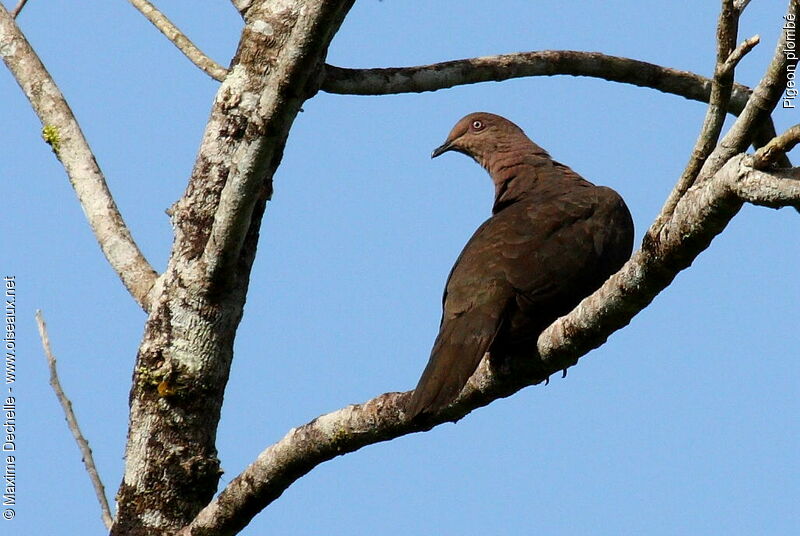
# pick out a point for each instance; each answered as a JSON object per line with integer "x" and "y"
{"x": 183, "y": 363}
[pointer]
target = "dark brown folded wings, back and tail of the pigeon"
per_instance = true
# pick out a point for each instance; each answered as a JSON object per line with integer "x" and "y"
{"x": 527, "y": 265}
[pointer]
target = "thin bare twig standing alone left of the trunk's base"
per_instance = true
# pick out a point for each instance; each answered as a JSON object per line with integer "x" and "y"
{"x": 72, "y": 422}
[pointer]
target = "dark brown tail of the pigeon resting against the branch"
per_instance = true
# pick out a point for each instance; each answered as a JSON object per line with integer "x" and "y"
{"x": 456, "y": 354}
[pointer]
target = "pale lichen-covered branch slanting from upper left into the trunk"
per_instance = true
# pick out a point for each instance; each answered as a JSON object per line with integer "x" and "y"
{"x": 62, "y": 132}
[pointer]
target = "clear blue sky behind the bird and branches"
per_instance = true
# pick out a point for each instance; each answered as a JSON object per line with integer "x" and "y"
{"x": 685, "y": 422}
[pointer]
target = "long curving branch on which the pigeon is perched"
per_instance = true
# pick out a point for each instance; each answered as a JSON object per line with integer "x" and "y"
{"x": 699, "y": 216}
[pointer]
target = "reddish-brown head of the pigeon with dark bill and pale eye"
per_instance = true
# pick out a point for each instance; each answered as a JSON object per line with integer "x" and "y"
{"x": 479, "y": 135}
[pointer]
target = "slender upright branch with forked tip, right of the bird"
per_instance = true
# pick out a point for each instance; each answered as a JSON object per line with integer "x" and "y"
{"x": 721, "y": 87}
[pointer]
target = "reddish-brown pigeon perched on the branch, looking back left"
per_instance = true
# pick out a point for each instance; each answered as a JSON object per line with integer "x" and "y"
{"x": 553, "y": 239}
